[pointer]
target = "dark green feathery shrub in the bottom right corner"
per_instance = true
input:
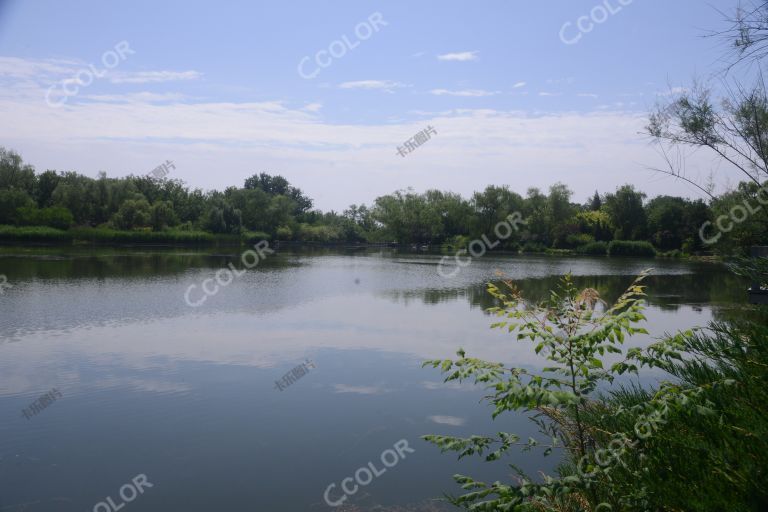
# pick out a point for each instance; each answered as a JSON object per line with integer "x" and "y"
{"x": 712, "y": 454}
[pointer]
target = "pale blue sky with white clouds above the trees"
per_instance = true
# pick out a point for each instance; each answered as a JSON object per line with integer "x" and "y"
{"x": 326, "y": 93}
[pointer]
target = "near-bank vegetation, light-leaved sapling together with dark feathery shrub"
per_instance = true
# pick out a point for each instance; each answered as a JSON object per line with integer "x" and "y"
{"x": 694, "y": 441}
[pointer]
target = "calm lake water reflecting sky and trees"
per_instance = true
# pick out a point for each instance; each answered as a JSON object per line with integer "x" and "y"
{"x": 187, "y": 396}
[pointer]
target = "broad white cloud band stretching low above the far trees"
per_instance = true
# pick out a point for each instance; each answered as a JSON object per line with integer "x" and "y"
{"x": 580, "y": 148}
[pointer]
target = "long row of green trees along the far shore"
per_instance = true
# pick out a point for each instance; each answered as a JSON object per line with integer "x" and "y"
{"x": 270, "y": 207}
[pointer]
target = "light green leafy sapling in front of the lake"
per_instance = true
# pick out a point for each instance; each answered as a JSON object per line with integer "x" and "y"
{"x": 575, "y": 332}
